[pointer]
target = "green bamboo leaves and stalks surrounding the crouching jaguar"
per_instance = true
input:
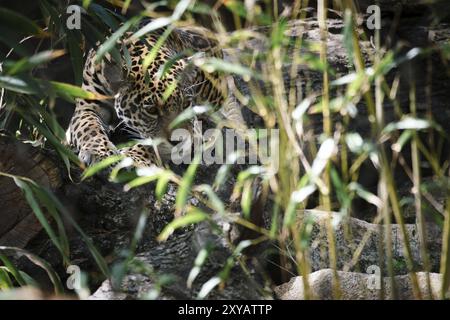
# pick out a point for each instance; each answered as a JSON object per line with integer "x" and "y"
{"x": 328, "y": 179}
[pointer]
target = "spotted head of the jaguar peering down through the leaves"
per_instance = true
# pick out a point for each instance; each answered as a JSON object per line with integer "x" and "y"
{"x": 148, "y": 107}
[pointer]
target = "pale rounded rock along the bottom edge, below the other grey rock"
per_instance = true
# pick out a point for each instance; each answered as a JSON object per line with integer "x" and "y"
{"x": 357, "y": 286}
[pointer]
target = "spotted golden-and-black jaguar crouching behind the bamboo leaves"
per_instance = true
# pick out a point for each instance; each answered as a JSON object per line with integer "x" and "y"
{"x": 139, "y": 99}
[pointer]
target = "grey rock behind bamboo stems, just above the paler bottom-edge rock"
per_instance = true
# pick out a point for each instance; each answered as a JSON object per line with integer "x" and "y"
{"x": 349, "y": 237}
